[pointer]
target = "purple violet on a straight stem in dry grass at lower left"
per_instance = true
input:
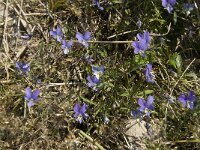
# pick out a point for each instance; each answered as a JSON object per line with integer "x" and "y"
{"x": 31, "y": 97}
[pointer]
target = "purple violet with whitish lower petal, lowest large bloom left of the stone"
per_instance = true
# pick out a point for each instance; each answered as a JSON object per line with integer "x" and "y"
{"x": 80, "y": 112}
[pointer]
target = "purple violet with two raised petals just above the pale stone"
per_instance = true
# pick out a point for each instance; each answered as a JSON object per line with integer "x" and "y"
{"x": 146, "y": 105}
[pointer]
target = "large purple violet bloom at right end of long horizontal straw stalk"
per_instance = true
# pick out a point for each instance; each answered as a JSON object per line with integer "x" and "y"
{"x": 143, "y": 44}
